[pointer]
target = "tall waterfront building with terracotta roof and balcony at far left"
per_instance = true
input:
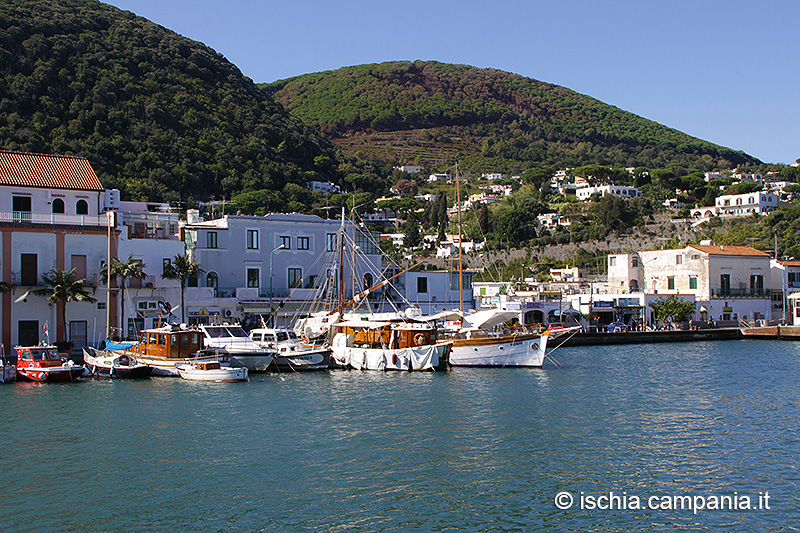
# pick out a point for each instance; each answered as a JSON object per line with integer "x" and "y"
{"x": 50, "y": 218}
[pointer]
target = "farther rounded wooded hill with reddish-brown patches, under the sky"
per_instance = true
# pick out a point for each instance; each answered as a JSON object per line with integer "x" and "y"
{"x": 425, "y": 112}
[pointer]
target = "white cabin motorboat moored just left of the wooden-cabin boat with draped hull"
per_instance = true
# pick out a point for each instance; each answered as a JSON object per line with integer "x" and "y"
{"x": 291, "y": 353}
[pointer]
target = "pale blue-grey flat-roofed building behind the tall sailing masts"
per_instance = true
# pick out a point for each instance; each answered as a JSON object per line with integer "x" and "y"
{"x": 279, "y": 262}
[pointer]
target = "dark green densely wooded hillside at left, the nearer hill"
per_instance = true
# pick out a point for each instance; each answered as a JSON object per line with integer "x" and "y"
{"x": 159, "y": 116}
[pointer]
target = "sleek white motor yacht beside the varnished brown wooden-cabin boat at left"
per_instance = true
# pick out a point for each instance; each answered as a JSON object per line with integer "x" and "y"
{"x": 233, "y": 341}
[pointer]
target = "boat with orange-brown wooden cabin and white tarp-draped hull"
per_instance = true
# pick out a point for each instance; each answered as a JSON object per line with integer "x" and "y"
{"x": 386, "y": 345}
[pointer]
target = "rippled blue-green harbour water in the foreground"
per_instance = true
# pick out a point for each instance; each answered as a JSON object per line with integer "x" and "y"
{"x": 464, "y": 450}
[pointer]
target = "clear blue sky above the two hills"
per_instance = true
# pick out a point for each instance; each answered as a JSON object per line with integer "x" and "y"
{"x": 723, "y": 71}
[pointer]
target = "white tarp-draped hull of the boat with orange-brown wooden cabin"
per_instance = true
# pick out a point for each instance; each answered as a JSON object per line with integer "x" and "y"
{"x": 427, "y": 357}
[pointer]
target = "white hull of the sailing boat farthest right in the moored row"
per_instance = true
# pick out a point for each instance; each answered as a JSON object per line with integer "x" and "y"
{"x": 522, "y": 351}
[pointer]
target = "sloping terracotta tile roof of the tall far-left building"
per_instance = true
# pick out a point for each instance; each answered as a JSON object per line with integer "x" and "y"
{"x": 44, "y": 170}
